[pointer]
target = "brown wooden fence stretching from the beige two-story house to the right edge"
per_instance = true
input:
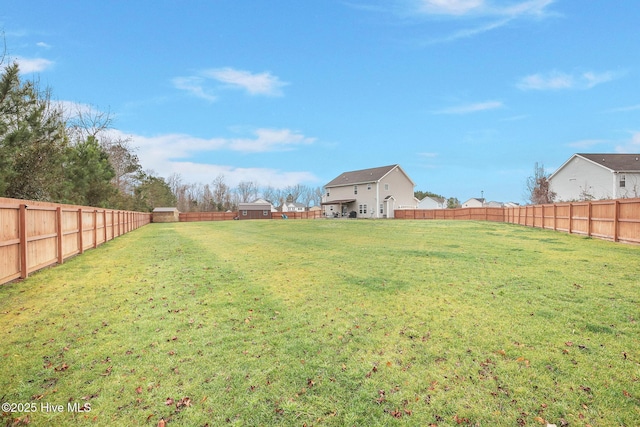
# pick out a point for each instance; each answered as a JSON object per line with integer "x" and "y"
{"x": 616, "y": 220}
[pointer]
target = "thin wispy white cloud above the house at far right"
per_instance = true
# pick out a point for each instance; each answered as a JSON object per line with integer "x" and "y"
{"x": 557, "y": 80}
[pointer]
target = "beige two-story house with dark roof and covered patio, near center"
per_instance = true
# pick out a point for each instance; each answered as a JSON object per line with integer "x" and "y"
{"x": 371, "y": 193}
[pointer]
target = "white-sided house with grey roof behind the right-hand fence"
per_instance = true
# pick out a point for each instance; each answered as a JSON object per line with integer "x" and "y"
{"x": 597, "y": 176}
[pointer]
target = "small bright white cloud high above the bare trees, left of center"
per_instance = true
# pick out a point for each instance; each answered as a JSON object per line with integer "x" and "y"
{"x": 255, "y": 84}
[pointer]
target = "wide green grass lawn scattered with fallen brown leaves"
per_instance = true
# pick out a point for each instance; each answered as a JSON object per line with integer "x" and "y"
{"x": 328, "y": 323}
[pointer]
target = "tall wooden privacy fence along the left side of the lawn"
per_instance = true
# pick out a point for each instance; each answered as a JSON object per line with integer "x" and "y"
{"x": 34, "y": 235}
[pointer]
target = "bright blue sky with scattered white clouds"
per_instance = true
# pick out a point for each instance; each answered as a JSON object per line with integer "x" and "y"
{"x": 466, "y": 95}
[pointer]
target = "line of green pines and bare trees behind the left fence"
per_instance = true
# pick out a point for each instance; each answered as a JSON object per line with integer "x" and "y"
{"x": 49, "y": 154}
